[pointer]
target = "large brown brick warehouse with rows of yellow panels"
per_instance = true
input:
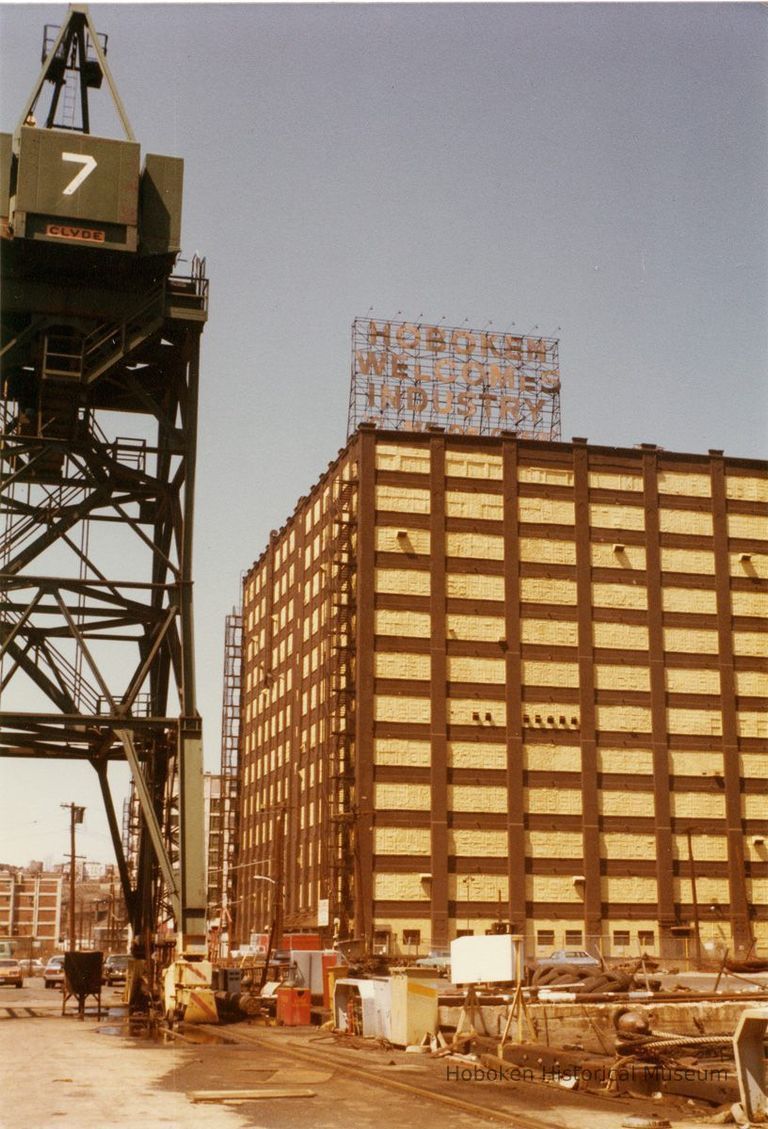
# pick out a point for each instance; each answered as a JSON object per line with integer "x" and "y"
{"x": 499, "y": 679}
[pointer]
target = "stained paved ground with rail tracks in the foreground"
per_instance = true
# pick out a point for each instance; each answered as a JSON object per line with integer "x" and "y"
{"x": 57, "y": 1072}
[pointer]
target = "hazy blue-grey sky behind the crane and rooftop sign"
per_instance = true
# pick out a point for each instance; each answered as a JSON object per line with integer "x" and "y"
{"x": 598, "y": 171}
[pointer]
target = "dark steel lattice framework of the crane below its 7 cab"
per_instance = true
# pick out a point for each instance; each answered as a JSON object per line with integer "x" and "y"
{"x": 97, "y": 636}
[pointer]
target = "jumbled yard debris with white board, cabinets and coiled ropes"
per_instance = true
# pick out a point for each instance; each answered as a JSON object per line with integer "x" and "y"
{"x": 632, "y": 1031}
